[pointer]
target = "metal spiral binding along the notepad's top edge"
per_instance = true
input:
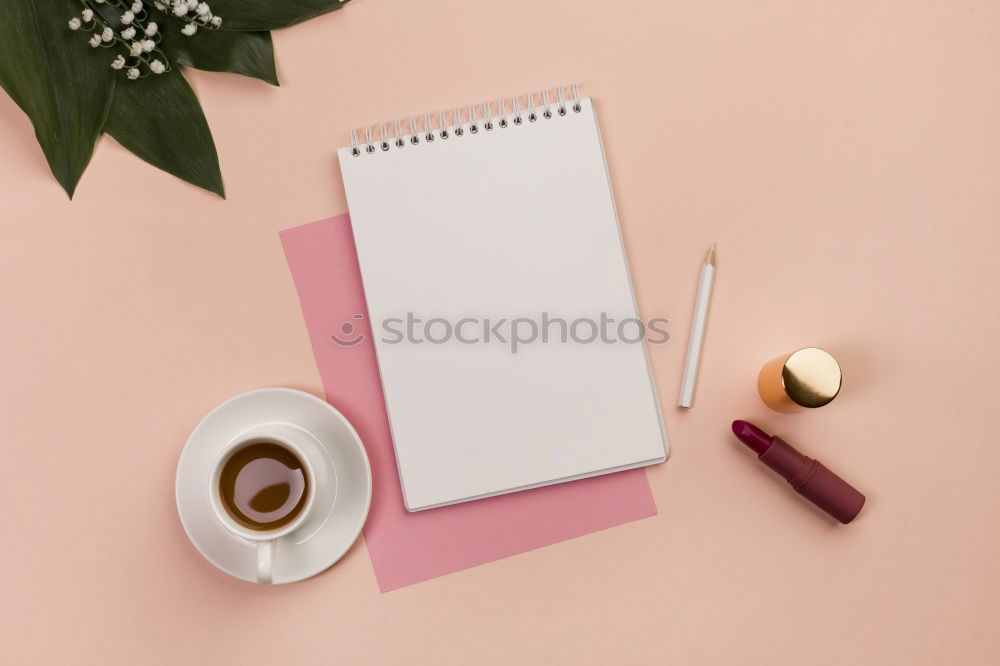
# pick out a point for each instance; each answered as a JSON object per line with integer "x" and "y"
{"x": 444, "y": 124}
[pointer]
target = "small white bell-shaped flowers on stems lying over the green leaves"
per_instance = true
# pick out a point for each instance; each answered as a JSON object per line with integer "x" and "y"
{"x": 139, "y": 37}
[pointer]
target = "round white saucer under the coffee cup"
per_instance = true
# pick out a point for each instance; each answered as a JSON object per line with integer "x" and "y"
{"x": 326, "y": 535}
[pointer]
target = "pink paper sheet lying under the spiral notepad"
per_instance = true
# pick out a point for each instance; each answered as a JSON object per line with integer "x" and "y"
{"x": 407, "y": 548}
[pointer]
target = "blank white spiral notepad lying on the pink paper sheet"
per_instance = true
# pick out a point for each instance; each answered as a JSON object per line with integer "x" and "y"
{"x": 501, "y": 308}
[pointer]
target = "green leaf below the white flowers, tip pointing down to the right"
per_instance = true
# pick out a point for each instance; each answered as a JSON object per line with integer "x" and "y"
{"x": 160, "y": 120}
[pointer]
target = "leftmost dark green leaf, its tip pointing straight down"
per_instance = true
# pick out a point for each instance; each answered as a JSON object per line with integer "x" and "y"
{"x": 63, "y": 84}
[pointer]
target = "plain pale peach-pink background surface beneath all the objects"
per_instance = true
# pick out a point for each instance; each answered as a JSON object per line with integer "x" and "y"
{"x": 845, "y": 156}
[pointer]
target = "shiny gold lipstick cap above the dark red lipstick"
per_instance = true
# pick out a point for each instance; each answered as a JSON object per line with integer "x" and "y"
{"x": 804, "y": 379}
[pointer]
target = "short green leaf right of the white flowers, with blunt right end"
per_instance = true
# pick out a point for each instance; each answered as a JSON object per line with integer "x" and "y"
{"x": 249, "y": 53}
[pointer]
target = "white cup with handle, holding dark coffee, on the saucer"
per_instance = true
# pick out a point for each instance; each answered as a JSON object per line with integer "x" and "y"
{"x": 304, "y": 447}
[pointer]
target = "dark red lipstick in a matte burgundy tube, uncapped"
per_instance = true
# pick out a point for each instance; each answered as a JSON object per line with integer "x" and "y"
{"x": 807, "y": 477}
